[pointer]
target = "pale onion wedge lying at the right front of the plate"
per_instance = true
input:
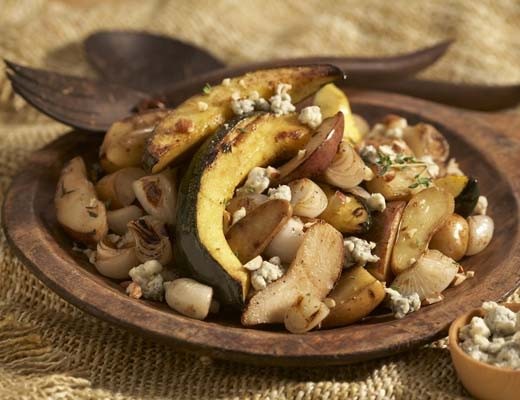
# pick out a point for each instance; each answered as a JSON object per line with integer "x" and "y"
{"x": 428, "y": 277}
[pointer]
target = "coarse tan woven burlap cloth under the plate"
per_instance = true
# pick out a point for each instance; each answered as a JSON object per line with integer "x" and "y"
{"x": 49, "y": 349}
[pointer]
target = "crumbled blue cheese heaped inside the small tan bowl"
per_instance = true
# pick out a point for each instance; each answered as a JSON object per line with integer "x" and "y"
{"x": 494, "y": 339}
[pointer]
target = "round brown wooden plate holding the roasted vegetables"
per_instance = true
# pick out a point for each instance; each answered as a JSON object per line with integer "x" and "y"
{"x": 489, "y": 152}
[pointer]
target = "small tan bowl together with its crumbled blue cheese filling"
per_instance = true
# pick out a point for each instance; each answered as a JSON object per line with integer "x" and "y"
{"x": 476, "y": 361}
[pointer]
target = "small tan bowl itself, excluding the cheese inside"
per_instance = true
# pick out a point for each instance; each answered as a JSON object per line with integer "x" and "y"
{"x": 484, "y": 381}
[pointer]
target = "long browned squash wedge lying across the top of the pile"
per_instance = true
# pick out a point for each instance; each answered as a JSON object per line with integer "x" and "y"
{"x": 199, "y": 116}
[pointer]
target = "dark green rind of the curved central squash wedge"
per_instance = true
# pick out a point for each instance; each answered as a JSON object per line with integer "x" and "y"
{"x": 190, "y": 254}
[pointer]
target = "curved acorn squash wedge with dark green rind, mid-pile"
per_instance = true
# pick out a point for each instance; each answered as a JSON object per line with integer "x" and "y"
{"x": 219, "y": 166}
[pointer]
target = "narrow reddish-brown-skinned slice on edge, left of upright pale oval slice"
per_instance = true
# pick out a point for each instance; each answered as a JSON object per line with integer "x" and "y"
{"x": 383, "y": 232}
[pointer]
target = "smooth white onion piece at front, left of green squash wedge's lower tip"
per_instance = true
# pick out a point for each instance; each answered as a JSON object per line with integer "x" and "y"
{"x": 189, "y": 297}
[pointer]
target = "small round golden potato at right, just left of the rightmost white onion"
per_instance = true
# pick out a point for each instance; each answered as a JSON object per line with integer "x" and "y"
{"x": 452, "y": 238}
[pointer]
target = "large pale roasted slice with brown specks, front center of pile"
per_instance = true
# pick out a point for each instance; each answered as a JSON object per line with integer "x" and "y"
{"x": 313, "y": 271}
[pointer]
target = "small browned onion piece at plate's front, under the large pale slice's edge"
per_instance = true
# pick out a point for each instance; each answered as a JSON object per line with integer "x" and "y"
{"x": 305, "y": 314}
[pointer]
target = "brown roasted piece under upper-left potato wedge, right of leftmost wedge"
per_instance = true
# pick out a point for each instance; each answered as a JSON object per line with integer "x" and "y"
{"x": 116, "y": 188}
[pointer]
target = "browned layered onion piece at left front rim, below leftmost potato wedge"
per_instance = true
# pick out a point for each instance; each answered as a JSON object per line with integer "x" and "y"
{"x": 113, "y": 262}
